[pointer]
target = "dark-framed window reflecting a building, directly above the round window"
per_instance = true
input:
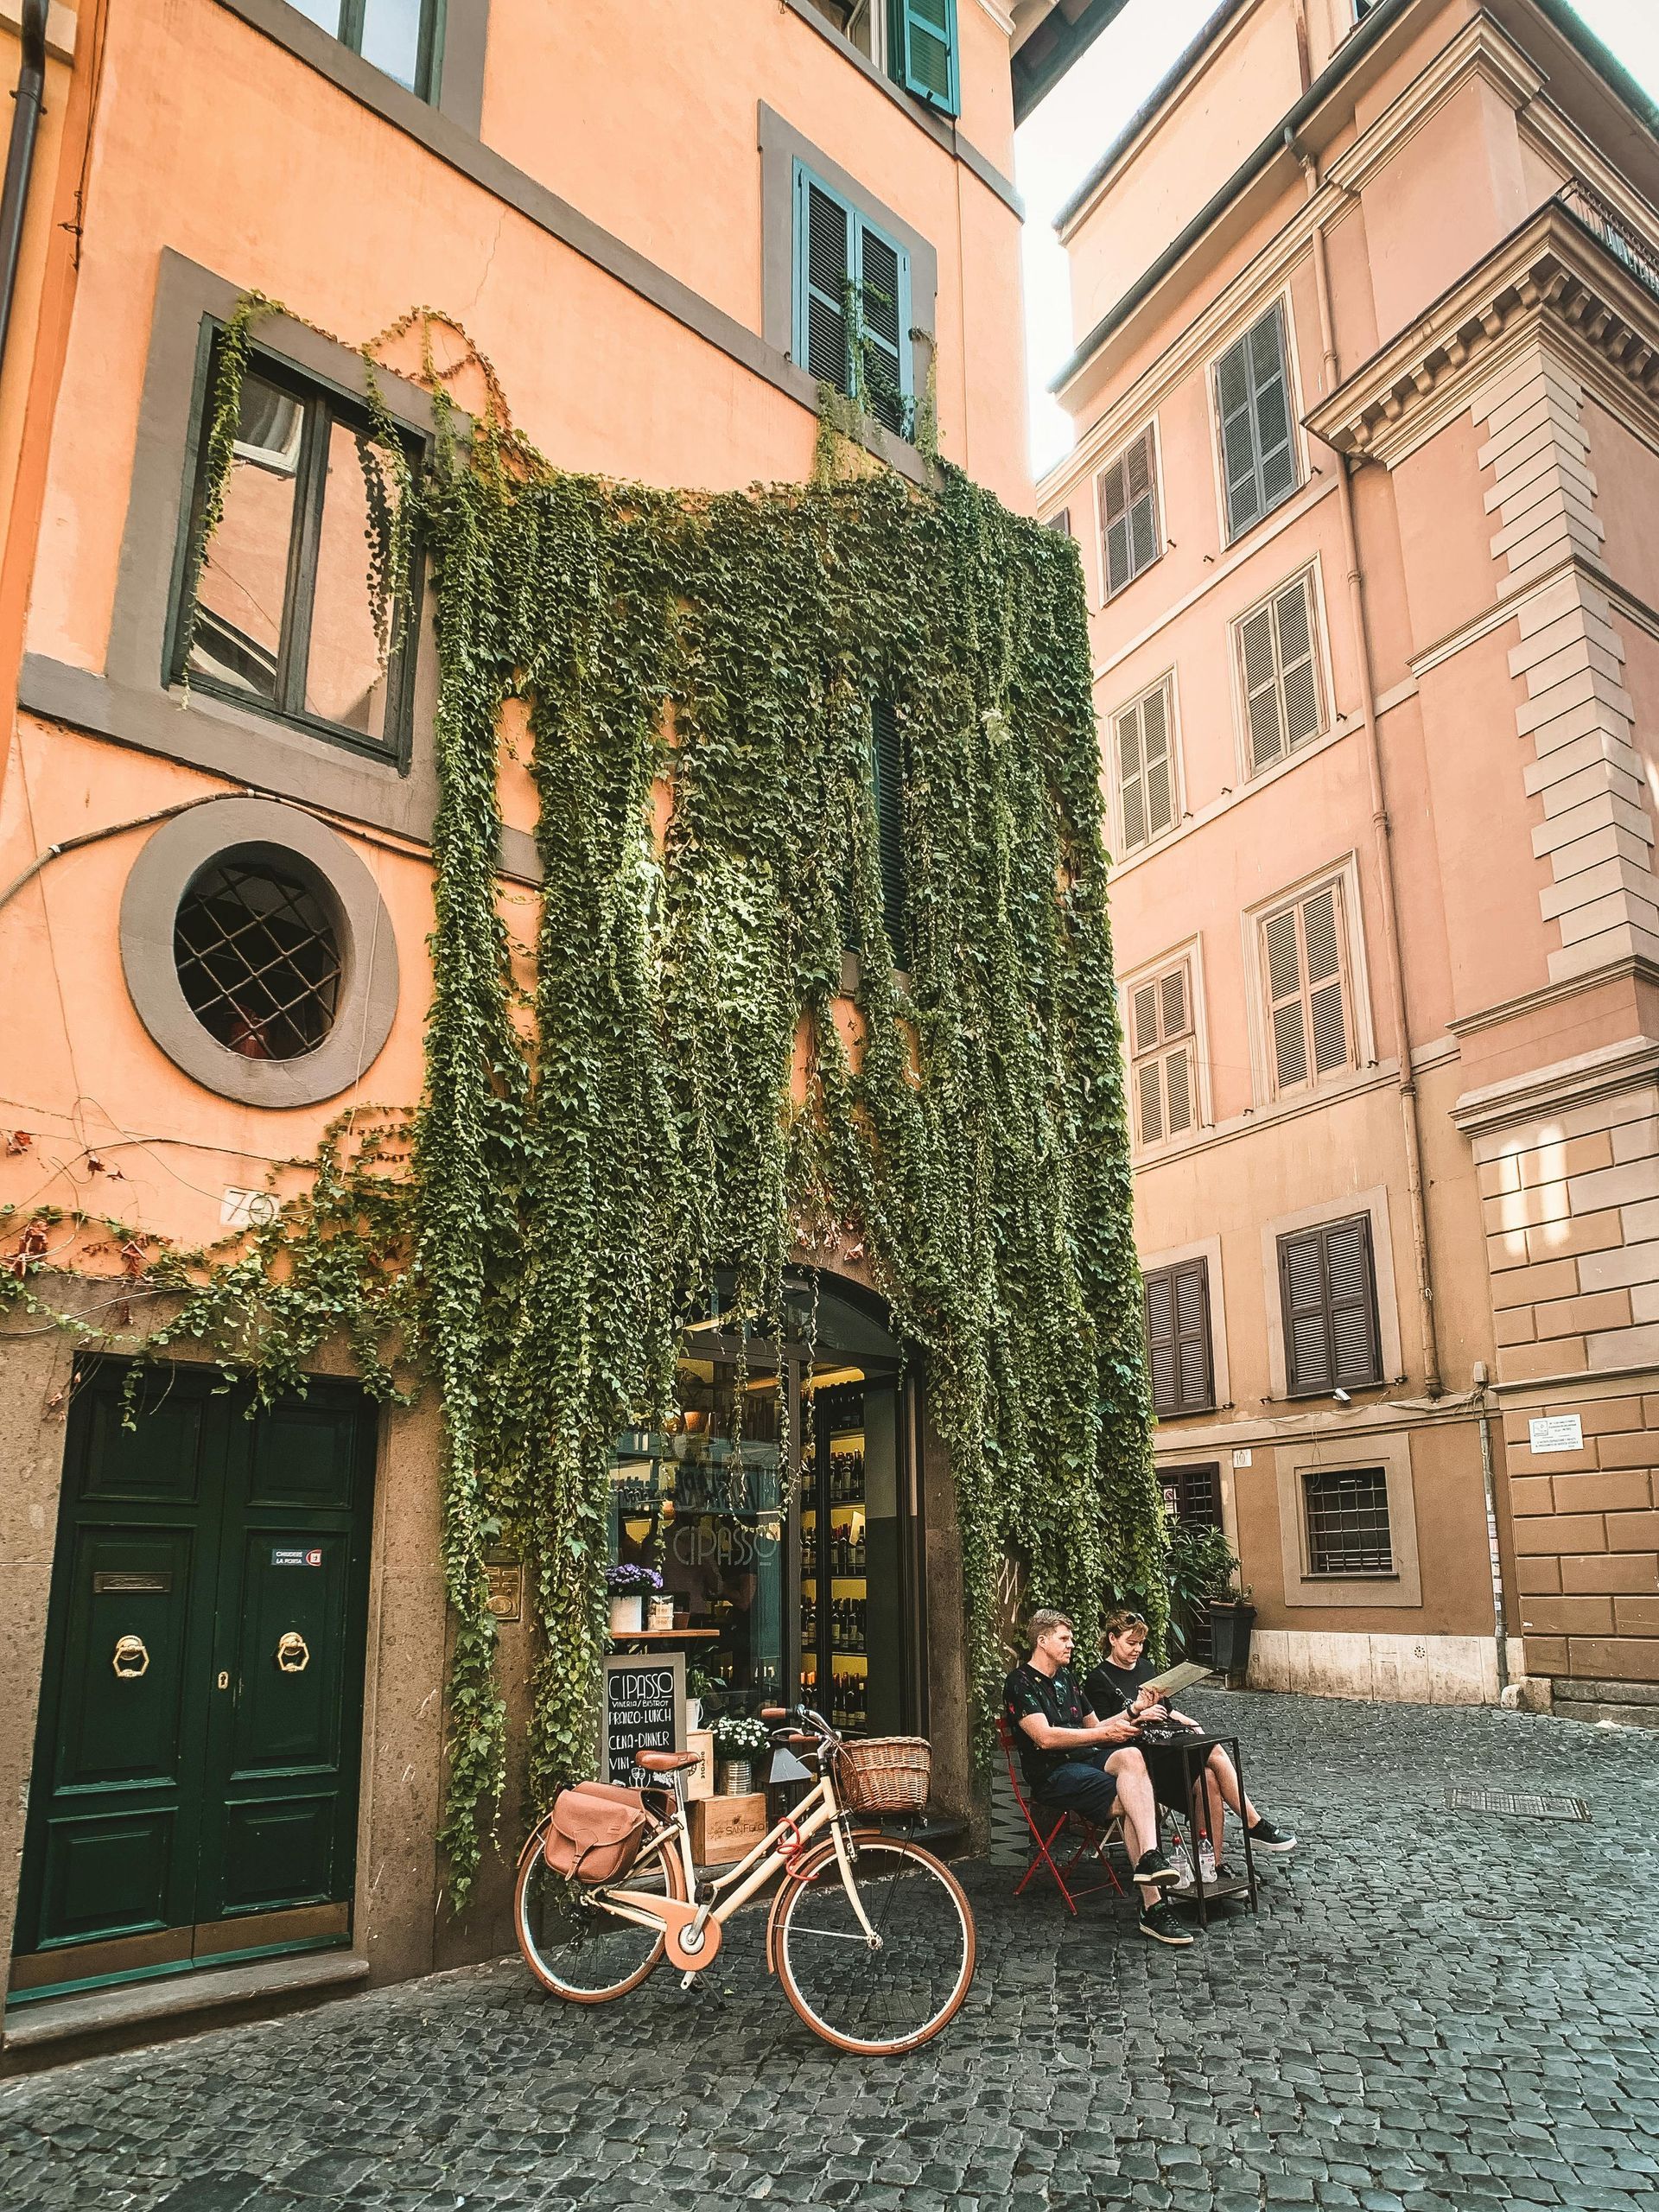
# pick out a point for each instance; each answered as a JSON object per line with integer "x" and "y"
{"x": 286, "y": 614}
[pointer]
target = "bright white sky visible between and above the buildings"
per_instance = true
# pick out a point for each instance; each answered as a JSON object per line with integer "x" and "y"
{"x": 1074, "y": 127}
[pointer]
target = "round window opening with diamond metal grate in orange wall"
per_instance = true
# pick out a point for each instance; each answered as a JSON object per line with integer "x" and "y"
{"x": 258, "y": 957}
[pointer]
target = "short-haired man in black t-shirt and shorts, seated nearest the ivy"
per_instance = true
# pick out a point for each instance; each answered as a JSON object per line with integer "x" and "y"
{"x": 1087, "y": 1766}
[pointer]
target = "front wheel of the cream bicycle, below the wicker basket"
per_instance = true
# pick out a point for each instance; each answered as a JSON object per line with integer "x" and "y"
{"x": 890, "y": 1994}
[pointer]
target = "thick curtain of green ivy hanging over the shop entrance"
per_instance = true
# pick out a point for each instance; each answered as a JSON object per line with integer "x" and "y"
{"x": 587, "y": 1169}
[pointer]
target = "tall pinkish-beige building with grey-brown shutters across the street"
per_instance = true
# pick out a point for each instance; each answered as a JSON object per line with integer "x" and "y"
{"x": 1366, "y": 488}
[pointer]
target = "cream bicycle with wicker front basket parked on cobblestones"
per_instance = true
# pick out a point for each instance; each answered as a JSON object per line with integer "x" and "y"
{"x": 870, "y": 1937}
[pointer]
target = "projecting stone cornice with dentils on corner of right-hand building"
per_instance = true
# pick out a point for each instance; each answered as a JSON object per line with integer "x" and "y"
{"x": 1552, "y": 273}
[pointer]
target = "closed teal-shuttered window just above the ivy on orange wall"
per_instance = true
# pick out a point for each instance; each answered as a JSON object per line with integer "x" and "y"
{"x": 853, "y": 304}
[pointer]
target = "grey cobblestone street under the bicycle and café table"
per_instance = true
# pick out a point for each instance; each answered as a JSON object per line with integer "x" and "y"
{"x": 1434, "y": 2012}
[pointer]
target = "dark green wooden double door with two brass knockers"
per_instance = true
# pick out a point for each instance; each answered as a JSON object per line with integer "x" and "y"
{"x": 196, "y": 1771}
